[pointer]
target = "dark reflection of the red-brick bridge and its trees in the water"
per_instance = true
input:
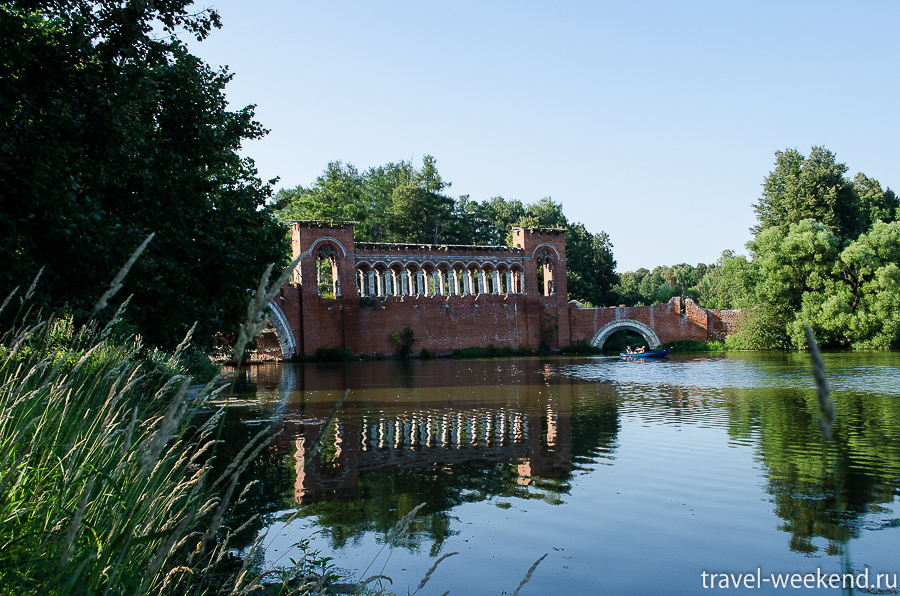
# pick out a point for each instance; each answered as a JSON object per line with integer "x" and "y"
{"x": 445, "y": 433}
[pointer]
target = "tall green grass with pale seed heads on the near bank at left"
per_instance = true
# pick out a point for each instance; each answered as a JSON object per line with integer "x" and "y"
{"x": 104, "y": 486}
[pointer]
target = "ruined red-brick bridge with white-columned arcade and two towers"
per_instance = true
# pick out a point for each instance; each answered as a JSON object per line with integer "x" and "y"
{"x": 354, "y": 295}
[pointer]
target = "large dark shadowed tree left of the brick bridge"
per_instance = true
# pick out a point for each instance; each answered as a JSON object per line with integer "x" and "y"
{"x": 111, "y": 130}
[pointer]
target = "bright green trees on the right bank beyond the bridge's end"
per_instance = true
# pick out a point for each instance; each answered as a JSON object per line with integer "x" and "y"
{"x": 826, "y": 253}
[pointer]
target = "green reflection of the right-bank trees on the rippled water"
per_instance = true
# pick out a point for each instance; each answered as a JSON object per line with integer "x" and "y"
{"x": 822, "y": 489}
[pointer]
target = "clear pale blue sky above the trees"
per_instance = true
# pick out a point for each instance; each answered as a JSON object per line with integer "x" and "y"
{"x": 655, "y": 122}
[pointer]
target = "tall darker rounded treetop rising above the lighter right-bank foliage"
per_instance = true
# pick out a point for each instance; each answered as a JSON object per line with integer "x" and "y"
{"x": 811, "y": 187}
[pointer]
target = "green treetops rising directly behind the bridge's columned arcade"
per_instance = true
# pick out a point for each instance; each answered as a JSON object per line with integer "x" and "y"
{"x": 398, "y": 202}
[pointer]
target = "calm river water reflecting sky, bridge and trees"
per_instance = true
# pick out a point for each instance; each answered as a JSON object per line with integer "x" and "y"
{"x": 635, "y": 477}
